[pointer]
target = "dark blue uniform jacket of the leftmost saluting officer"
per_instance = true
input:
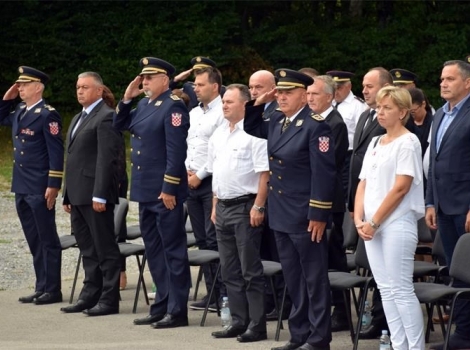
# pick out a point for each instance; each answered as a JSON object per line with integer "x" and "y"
{"x": 37, "y": 144}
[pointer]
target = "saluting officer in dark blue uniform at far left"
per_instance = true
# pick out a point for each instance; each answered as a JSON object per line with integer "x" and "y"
{"x": 37, "y": 177}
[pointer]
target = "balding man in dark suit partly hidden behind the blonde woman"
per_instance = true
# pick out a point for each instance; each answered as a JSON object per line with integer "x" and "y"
{"x": 367, "y": 128}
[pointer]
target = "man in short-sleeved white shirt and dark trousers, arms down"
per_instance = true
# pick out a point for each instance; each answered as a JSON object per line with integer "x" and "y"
{"x": 239, "y": 163}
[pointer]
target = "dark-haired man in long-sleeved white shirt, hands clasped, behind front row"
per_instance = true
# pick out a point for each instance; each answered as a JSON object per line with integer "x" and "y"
{"x": 204, "y": 119}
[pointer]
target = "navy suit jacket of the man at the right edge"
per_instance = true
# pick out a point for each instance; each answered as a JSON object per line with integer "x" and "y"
{"x": 448, "y": 185}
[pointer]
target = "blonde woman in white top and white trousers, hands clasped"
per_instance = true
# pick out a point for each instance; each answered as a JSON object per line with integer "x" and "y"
{"x": 388, "y": 204}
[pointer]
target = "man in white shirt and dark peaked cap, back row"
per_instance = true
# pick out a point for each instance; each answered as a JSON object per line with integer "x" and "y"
{"x": 350, "y": 107}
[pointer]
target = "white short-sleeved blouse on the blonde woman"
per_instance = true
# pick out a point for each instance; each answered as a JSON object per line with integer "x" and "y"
{"x": 381, "y": 164}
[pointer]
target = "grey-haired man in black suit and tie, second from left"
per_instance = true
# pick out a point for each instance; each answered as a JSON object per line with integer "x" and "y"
{"x": 90, "y": 193}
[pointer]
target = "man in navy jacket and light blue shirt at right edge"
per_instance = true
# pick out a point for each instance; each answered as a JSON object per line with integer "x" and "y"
{"x": 448, "y": 188}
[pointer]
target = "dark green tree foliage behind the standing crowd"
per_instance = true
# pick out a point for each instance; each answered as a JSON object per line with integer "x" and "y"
{"x": 65, "y": 38}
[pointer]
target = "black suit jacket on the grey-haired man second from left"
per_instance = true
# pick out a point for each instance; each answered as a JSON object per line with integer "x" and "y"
{"x": 92, "y": 159}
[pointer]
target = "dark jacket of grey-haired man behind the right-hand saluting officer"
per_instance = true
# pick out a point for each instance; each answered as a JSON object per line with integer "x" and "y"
{"x": 340, "y": 135}
